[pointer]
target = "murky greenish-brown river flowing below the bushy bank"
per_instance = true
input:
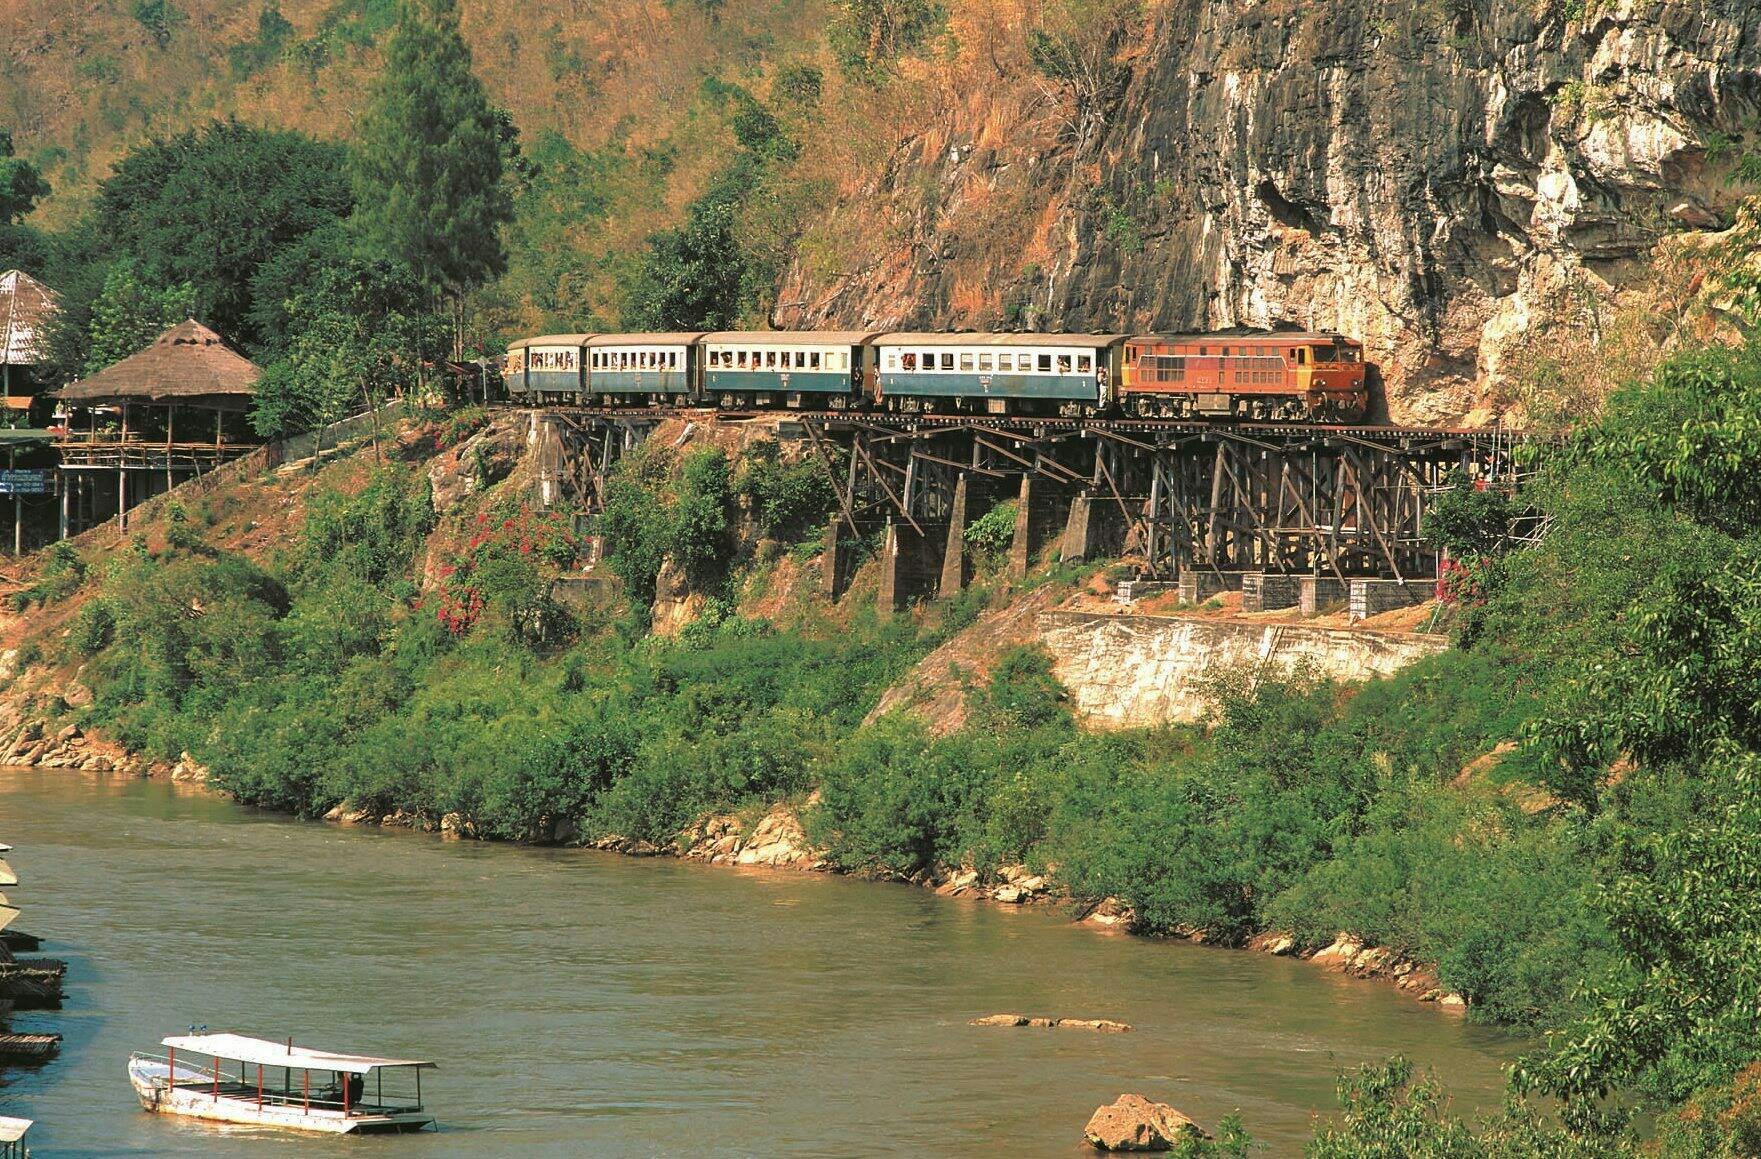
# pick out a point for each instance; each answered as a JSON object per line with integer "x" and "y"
{"x": 594, "y": 1005}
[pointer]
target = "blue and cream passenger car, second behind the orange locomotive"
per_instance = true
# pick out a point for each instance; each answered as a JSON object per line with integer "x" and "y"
{"x": 769, "y": 369}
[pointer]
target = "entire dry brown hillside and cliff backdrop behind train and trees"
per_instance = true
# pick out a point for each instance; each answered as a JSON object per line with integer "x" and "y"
{"x": 1471, "y": 186}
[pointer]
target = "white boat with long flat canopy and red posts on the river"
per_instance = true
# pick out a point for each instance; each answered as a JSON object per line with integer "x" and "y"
{"x": 258, "y": 1082}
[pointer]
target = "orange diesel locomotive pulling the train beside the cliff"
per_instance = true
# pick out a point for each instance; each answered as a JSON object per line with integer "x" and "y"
{"x": 1244, "y": 376}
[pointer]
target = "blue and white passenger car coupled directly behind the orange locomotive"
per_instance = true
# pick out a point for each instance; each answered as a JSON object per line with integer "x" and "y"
{"x": 998, "y": 374}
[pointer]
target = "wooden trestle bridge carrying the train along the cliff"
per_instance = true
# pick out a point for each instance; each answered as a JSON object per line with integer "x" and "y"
{"x": 1209, "y": 506}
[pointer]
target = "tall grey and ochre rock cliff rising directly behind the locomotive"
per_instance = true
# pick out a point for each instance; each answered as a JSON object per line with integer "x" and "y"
{"x": 1440, "y": 181}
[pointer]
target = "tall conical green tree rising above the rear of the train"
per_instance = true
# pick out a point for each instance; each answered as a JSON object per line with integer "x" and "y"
{"x": 431, "y": 159}
